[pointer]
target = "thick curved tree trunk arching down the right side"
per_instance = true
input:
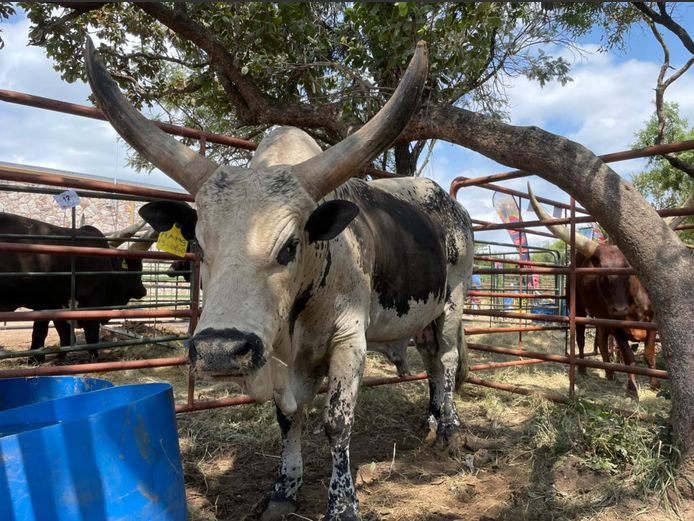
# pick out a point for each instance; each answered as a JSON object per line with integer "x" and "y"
{"x": 662, "y": 262}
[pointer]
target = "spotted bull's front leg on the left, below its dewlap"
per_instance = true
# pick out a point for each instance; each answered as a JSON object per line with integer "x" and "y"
{"x": 282, "y": 498}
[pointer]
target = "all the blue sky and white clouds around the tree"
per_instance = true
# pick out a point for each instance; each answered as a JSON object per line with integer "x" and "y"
{"x": 608, "y": 101}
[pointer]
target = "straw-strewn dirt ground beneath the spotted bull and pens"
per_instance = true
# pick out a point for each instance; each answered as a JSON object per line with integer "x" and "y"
{"x": 503, "y": 472}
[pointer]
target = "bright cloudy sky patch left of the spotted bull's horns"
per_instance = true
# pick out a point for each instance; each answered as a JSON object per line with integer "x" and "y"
{"x": 50, "y": 139}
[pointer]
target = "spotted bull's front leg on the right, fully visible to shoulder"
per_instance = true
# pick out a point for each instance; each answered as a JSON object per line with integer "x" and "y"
{"x": 346, "y": 369}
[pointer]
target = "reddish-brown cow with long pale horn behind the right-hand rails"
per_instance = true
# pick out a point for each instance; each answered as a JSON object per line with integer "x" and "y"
{"x": 610, "y": 296}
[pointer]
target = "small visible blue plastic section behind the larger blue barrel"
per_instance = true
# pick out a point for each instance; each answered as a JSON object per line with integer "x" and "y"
{"x": 16, "y": 392}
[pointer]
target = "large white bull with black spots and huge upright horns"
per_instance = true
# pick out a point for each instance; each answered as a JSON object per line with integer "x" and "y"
{"x": 305, "y": 268}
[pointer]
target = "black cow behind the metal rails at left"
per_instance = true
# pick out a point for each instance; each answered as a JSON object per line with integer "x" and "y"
{"x": 53, "y": 291}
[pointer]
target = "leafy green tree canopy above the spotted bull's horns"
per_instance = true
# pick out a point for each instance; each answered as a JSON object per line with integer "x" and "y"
{"x": 325, "y": 67}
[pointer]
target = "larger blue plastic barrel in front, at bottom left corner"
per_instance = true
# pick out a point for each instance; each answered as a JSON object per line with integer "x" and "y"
{"x": 110, "y": 454}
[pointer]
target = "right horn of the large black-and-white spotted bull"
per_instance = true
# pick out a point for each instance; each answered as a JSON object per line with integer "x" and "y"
{"x": 329, "y": 169}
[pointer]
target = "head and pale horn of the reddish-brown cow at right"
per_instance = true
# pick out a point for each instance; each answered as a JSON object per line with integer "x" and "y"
{"x": 622, "y": 295}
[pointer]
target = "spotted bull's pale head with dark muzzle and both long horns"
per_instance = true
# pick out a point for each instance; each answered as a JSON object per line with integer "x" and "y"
{"x": 256, "y": 225}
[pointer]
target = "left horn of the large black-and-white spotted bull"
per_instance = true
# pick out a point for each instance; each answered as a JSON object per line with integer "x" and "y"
{"x": 181, "y": 164}
